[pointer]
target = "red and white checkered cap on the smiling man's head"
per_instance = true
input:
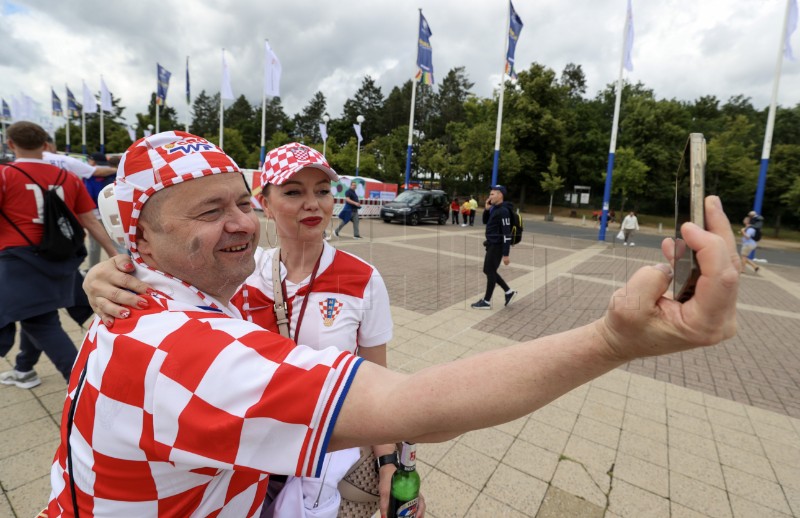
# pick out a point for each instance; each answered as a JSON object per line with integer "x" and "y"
{"x": 157, "y": 162}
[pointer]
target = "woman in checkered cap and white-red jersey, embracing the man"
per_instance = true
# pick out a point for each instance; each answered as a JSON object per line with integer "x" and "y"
{"x": 331, "y": 298}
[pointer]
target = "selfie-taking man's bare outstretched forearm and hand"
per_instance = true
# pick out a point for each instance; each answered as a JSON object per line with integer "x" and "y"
{"x": 445, "y": 400}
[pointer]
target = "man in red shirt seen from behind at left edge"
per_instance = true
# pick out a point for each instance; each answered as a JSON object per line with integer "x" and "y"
{"x": 34, "y": 288}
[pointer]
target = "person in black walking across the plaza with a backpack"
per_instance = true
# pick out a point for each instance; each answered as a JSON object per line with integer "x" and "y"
{"x": 497, "y": 218}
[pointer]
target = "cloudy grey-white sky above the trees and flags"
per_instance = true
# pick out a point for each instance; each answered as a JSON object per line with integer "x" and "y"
{"x": 683, "y": 48}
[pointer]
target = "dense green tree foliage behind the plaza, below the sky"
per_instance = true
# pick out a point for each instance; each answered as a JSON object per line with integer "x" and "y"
{"x": 545, "y": 114}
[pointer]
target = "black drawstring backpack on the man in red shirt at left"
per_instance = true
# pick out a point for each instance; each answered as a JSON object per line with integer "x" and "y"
{"x": 63, "y": 235}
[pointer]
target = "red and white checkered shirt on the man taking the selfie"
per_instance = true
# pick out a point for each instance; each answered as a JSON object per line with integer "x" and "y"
{"x": 185, "y": 410}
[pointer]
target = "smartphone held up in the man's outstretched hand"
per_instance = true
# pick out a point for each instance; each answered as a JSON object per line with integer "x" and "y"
{"x": 689, "y": 206}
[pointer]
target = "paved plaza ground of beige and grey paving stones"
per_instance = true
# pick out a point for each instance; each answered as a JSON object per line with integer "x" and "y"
{"x": 711, "y": 432}
